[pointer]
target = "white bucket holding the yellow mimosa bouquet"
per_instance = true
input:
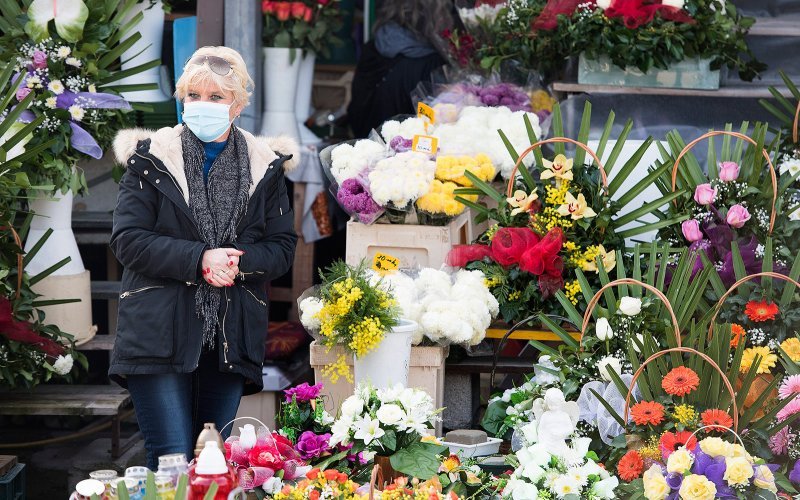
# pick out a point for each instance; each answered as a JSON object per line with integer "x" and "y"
{"x": 387, "y": 364}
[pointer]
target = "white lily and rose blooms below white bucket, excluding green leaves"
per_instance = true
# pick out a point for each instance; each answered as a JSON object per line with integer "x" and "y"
{"x": 369, "y": 414}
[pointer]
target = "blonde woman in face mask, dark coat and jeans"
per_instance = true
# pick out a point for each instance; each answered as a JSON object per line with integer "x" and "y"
{"x": 202, "y": 224}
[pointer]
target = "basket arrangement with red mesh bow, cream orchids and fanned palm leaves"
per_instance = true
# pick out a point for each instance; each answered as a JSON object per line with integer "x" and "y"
{"x": 549, "y": 228}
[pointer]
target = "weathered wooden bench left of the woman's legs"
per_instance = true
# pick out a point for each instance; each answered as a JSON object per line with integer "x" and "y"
{"x": 105, "y": 401}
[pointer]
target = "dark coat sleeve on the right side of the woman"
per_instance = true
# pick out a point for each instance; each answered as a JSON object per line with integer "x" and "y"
{"x": 272, "y": 257}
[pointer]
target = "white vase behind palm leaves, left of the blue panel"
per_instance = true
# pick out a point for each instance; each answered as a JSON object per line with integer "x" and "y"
{"x": 146, "y": 49}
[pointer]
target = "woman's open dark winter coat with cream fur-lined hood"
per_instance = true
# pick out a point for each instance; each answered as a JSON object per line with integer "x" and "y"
{"x": 155, "y": 238}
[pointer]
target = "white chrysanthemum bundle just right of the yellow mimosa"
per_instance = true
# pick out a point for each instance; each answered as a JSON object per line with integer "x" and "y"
{"x": 450, "y": 308}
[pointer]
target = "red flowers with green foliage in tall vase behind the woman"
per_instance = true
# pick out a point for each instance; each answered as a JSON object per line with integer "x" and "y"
{"x": 310, "y": 25}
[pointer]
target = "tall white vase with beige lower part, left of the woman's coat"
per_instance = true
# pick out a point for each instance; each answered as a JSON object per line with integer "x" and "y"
{"x": 71, "y": 281}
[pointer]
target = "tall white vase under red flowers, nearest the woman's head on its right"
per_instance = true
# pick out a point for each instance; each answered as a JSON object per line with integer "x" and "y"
{"x": 281, "y": 73}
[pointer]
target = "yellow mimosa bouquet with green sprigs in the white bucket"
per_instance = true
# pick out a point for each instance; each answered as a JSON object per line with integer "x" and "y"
{"x": 350, "y": 310}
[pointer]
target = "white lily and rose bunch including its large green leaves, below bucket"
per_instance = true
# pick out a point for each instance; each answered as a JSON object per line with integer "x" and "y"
{"x": 390, "y": 423}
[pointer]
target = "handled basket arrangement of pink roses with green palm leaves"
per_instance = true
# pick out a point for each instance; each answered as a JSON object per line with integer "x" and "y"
{"x": 739, "y": 201}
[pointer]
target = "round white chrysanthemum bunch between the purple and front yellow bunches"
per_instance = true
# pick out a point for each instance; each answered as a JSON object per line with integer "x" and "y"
{"x": 402, "y": 178}
